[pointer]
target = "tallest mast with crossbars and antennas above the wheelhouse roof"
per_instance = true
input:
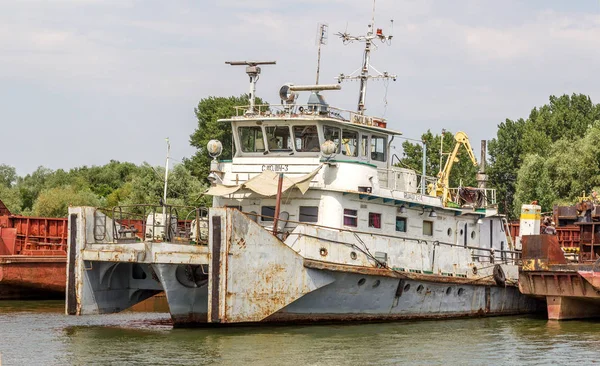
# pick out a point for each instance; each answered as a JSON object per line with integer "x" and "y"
{"x": 364, "y": 75}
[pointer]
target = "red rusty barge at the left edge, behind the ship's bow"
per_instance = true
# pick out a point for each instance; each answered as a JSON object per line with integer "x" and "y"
{"x": 32, "y": 256}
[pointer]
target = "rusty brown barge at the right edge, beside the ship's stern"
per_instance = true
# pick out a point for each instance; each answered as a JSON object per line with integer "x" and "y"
{"x": 565, "y": 273}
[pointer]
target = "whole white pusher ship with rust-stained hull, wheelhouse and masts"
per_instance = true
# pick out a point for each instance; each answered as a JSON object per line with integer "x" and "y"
{"x": 311, "y": 221}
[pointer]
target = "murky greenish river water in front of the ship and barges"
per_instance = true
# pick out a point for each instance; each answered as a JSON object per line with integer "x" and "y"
{"x": 38, "y": 333}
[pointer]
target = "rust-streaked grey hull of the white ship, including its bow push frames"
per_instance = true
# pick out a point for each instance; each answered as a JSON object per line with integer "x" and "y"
{"x": 244, "y": 274}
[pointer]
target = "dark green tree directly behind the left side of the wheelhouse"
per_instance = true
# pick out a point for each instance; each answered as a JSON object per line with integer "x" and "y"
{"x": 208, "y": 112}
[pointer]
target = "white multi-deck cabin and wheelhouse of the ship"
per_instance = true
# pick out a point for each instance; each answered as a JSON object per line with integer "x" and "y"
{"x": 338, "y": 173}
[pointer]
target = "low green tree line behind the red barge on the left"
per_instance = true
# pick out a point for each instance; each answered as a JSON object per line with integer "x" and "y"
{"x": 49, "y": 193}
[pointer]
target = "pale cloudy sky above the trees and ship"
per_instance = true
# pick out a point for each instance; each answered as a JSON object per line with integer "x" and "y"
{"x": 86, "y": 81}
